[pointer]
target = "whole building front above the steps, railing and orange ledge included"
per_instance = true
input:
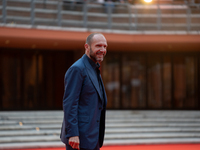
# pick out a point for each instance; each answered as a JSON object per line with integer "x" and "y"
{"x": 153, "y": 59}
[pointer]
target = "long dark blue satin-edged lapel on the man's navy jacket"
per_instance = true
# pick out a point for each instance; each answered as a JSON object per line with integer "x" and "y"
{"x": 92, "y": 75}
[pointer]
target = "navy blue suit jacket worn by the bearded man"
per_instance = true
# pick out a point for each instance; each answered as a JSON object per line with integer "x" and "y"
{"x": 84, "y": 112}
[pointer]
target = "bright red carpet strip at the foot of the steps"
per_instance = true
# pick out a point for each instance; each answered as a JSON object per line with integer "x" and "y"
{"x": 140, "y": 147}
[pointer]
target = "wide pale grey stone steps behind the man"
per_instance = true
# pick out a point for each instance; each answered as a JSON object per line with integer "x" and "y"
{"x": 34, "y": 129}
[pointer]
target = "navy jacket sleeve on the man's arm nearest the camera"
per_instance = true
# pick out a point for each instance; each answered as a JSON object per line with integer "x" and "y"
{"x": 73, "y": 83}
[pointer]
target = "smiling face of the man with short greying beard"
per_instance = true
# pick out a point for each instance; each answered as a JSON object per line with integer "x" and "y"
{"x": 97, "y": 50}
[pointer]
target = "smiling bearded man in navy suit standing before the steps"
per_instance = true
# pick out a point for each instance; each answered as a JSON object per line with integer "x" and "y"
{"x": 84, "y": 101}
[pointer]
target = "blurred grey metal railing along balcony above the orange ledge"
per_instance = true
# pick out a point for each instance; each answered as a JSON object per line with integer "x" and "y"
{"x": 160, "y": 15}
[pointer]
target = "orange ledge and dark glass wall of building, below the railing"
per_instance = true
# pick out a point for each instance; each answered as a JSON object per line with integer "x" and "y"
{"x": 139, "y": 71}
